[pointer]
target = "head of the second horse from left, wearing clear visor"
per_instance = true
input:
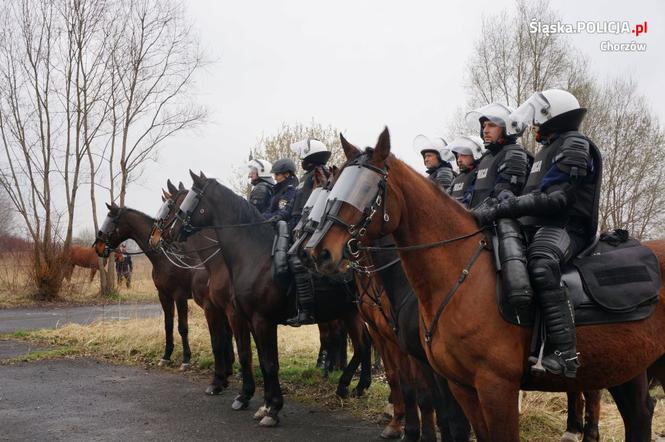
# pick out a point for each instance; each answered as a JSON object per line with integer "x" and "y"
{"x": 183, "y": 212}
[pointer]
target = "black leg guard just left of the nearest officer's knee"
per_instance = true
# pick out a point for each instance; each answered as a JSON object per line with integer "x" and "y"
{"x": 512, "y": 254}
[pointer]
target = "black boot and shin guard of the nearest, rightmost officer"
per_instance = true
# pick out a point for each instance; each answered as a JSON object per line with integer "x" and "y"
{"x": 560, "y": 325}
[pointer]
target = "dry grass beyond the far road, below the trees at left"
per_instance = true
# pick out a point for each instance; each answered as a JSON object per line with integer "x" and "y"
{"x": 16, "y": 289}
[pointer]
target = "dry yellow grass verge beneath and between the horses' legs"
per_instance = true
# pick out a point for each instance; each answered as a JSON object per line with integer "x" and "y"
{"x": 141, "y": 342}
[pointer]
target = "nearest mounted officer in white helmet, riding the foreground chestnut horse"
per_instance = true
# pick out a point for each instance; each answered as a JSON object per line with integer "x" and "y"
{"x": 559, "y": 209}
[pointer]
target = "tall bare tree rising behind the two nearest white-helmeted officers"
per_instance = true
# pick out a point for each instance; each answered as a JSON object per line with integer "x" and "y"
{"x": 509, "y": 62}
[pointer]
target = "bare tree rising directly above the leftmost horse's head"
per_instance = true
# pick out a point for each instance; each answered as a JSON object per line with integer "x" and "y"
{"x": 154, "y": 56}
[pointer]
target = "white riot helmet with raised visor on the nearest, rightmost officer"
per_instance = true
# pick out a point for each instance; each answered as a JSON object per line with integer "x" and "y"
{"x": 553, "y": 111}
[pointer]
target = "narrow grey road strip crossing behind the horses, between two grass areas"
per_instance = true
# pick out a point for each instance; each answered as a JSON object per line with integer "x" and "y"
{"x": 12, "y": 320}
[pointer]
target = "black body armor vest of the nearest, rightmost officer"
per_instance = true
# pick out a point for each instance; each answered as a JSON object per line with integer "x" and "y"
{"x": 582, "y": 216}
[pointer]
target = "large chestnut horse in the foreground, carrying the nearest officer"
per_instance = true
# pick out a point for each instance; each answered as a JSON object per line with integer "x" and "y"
{"x": 468, "y": 341}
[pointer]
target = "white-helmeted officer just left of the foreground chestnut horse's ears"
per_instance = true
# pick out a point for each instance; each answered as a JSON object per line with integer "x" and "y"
{"x": 314, "y": 155}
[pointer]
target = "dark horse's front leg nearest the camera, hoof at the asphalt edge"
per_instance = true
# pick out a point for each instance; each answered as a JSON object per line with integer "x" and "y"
{"x": 265, "y": 337}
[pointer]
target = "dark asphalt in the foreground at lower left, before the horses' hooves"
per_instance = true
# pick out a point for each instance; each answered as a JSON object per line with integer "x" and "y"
{"x": 87, "y": 400}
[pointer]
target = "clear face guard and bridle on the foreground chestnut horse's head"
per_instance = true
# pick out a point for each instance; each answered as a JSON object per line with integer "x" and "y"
{"x": 363, "y": 186}
